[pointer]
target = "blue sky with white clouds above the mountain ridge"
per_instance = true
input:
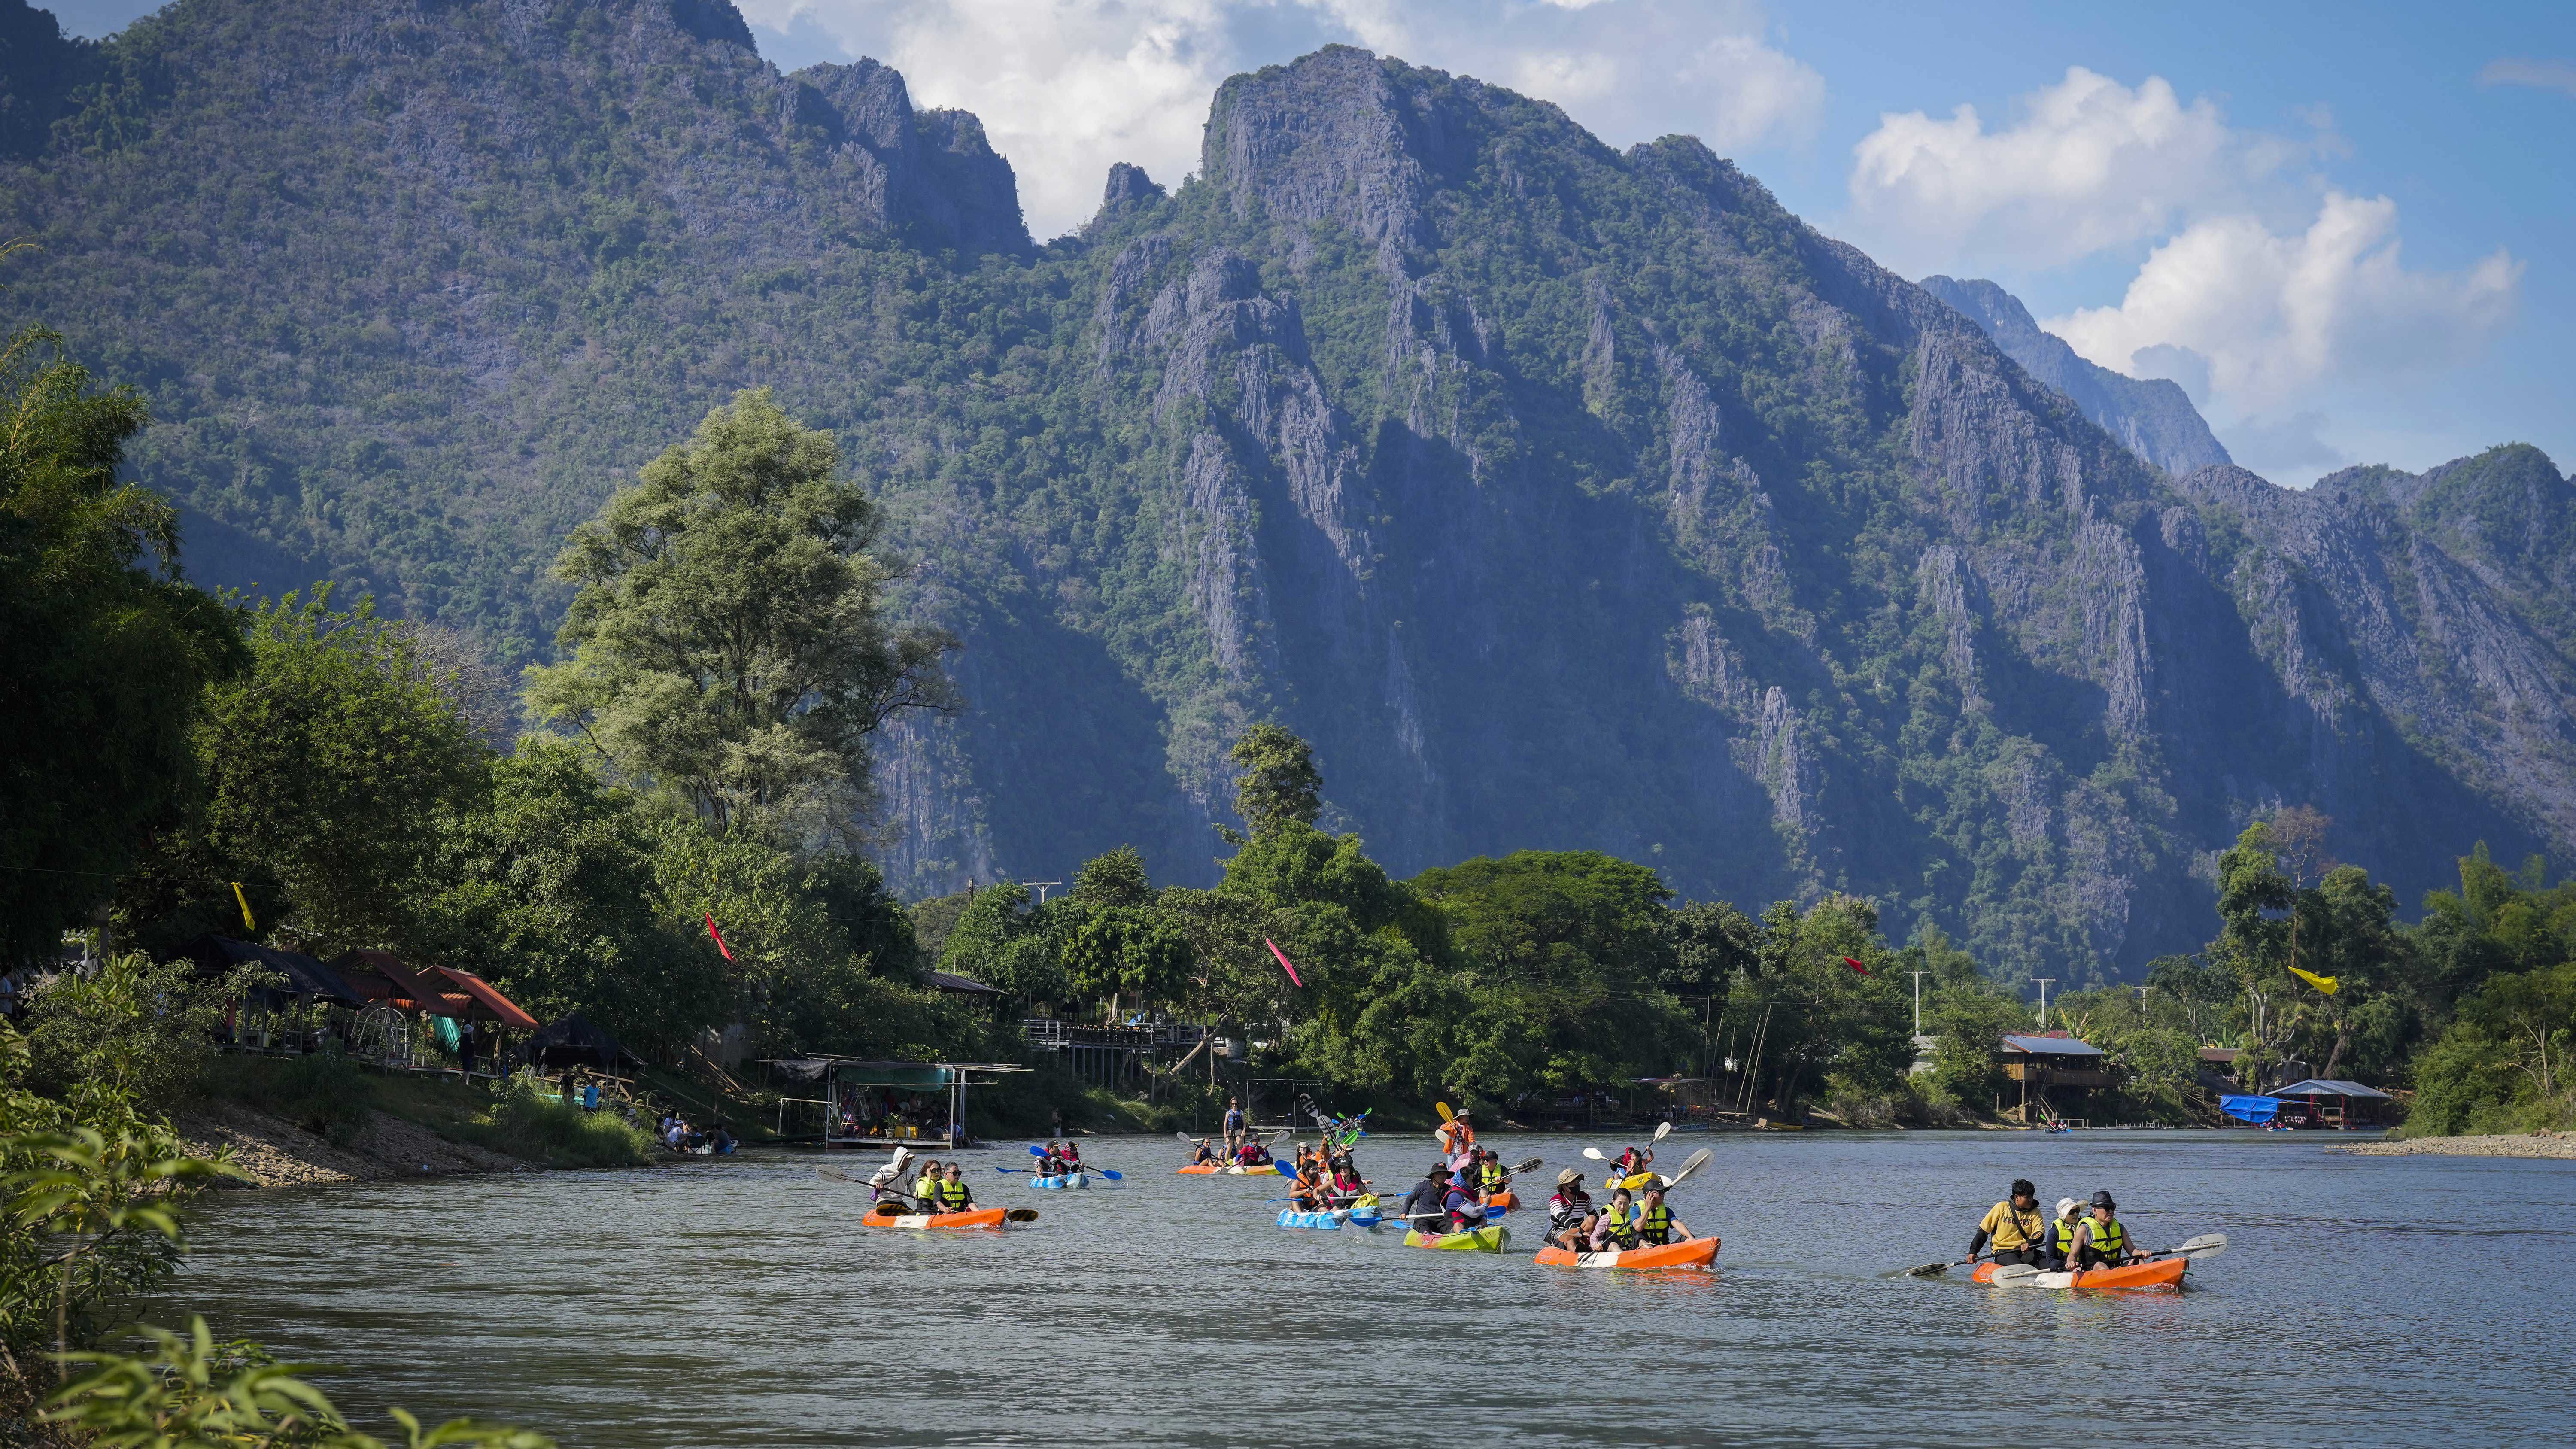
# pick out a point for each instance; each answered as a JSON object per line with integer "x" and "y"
{"x": 2351, "y": 231}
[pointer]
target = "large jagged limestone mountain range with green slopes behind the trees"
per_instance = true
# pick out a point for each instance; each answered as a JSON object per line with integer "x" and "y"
{"x": 1560, "y": 494}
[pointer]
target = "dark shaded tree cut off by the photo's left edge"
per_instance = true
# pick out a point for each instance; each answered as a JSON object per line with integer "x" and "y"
{"x": 104, "y": 648}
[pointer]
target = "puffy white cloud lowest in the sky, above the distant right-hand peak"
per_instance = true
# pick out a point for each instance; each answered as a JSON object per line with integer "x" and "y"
{"x": 2278, "y": 316}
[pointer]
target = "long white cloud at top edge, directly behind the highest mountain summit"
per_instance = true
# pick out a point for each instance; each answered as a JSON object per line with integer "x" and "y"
{"x": 1070, "y": 86}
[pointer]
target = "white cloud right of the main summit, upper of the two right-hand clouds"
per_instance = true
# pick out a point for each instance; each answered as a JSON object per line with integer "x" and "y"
{"x": 2090, "y": 166}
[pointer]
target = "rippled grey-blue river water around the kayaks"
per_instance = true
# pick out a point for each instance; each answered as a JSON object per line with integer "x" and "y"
{"x": 2363, "y": 1301}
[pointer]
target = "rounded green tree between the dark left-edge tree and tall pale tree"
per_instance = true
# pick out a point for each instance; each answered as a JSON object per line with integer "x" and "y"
{"x": 331, "y": 767}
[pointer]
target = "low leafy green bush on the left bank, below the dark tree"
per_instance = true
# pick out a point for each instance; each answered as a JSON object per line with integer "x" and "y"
{"x": 133, "y": 1030}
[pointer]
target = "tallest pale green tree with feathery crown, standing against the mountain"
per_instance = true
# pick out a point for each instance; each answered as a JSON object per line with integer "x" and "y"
{"x": 730, "y": 638}
